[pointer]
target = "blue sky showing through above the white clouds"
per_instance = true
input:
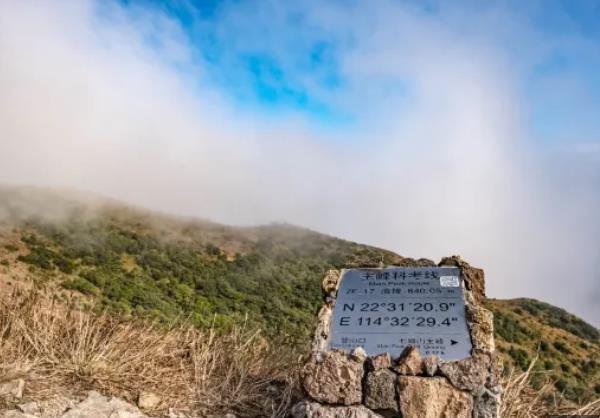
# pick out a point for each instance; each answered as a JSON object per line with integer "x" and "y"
{"x": 281, "y": 58}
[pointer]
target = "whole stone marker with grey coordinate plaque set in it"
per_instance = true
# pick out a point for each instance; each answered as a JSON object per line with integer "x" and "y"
{"x": 412, "y": 341}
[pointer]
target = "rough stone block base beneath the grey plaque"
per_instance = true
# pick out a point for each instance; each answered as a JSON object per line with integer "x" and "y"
{"x": 342, "y": 384}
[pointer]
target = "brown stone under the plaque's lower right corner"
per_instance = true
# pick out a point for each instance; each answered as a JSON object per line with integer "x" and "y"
{"x": 468, "y": 374}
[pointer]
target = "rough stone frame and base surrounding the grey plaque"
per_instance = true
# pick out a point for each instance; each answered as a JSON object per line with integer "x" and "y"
{"x": 340, "y": 384}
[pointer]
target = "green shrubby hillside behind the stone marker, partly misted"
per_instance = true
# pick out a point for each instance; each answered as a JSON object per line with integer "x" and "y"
{"x": 140, "y": 263}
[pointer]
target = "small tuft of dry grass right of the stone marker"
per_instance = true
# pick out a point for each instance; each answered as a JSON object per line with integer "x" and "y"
{"x": 520, "y": 400}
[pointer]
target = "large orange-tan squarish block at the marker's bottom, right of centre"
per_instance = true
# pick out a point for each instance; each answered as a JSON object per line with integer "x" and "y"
{"x": 432, "y": 397}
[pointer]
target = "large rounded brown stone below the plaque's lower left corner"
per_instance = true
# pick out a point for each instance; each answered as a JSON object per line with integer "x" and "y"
{"x": 335, "y": 378}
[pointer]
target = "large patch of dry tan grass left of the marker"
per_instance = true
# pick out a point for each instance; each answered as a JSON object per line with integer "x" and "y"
{"x": 61, "y": 350}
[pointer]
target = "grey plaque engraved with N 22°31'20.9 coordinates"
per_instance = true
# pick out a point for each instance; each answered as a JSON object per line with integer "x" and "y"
{"x": 386, "y": 310}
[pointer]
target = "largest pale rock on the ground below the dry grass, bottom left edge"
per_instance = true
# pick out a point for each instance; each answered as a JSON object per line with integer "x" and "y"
{"x": 98, "y": 406}
